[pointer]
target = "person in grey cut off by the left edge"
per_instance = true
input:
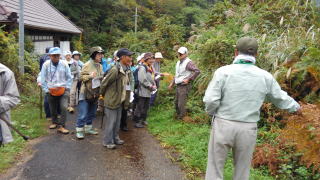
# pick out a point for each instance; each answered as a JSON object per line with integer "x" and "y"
{"x": 9, "y": 98}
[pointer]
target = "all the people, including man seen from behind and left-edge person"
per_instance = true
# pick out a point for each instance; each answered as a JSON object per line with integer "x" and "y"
{"x": 234, "y": 97}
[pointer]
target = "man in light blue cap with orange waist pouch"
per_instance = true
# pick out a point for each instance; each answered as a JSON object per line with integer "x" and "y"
{"x": 56, "y": 82}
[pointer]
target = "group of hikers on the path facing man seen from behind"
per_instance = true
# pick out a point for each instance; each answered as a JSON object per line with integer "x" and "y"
{"x": 112, "y": 86}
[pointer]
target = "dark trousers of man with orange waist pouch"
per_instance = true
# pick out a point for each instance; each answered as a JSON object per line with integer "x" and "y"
{"x": 54, "y": 102}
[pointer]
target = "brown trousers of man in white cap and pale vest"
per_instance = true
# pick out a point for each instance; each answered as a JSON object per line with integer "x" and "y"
{"x": 182, "y": 92}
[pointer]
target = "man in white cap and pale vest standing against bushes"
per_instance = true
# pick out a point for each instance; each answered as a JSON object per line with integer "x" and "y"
{"x": 186, "y": 72}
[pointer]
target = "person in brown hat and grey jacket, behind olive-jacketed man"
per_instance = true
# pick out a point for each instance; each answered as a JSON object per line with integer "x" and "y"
{"x": 146, "y": 86}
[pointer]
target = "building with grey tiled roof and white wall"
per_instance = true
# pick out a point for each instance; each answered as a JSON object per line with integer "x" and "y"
{"x": 44, "y": 24}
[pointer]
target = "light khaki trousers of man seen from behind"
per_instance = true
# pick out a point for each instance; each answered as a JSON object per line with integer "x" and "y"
{"x": 226, "y": 135}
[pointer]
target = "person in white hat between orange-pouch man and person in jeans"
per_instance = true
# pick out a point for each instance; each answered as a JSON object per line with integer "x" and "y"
{"x": 75, "y": 72}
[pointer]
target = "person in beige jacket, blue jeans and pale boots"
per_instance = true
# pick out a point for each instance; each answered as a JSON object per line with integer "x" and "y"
{"x": 91, "y": 76}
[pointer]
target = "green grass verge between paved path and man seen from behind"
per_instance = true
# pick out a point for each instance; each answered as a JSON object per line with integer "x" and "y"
{"x": 190, "y": 140}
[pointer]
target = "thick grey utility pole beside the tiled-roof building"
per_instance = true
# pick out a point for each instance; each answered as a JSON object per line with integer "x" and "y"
{"x": 21, "y": 37}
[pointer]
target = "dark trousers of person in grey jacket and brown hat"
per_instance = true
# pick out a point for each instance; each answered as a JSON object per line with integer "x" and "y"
{"x": 142, "y": 108}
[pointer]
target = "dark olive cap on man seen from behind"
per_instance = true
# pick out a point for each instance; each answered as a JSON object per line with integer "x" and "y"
{"x": 247, "y": 45}
